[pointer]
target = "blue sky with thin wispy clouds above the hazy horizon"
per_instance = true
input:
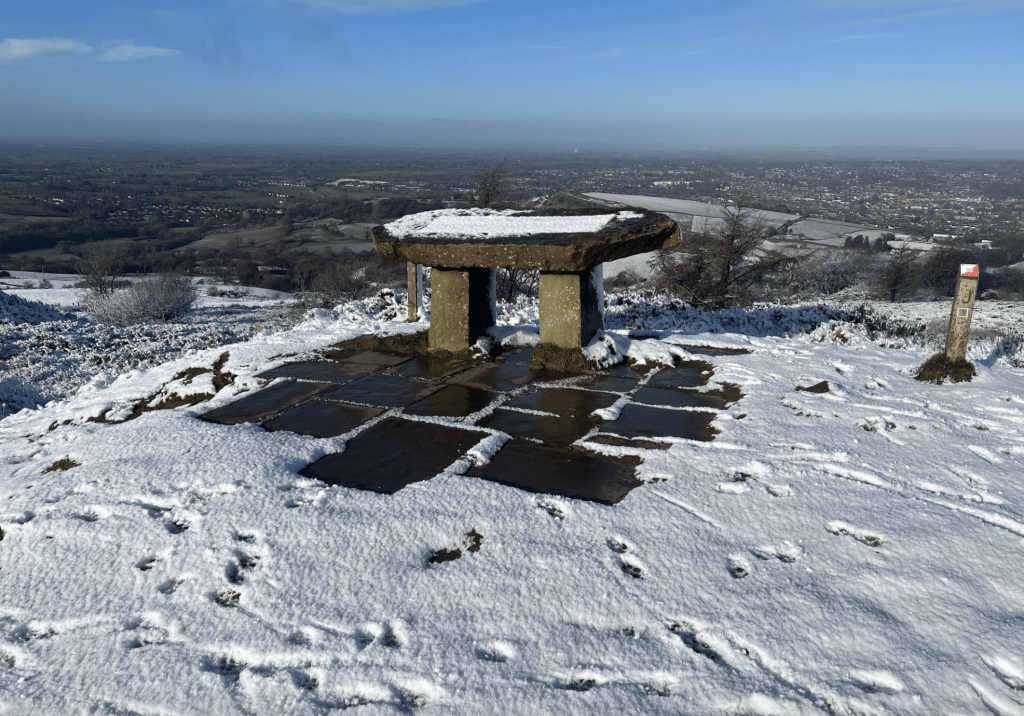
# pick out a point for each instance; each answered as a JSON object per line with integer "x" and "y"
{"x": 689, "y": 75}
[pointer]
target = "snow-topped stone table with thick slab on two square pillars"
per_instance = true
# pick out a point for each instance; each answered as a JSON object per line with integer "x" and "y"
{"x": 465, "y": 247}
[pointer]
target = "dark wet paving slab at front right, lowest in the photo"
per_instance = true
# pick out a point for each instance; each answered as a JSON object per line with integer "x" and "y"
{"x": 573, "y": 474}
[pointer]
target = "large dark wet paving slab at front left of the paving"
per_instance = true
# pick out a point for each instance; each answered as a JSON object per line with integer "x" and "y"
{"x": 393, "y": 454}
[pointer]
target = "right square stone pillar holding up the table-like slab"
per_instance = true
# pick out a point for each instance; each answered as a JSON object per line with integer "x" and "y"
{"x": 570, "y": 311}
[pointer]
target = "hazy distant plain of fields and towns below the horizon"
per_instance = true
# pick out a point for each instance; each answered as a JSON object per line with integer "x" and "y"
{"x": 54, "y": 200}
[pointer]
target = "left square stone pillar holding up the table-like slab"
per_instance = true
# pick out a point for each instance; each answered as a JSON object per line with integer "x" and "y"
{"x": 463, "y": 308}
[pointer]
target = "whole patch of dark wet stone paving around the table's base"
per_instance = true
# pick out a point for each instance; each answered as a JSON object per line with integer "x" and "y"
{"x": 547, "y": 424}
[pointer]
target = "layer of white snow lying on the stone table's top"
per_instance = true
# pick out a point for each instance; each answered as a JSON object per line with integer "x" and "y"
{"x": 492, "y": 224}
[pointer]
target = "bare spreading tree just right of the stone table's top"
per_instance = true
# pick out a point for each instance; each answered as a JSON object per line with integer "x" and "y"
{"x": 723, "y": 265}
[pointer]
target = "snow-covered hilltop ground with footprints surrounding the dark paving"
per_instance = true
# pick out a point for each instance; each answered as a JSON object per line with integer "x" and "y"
{"x": 857, "y": 552}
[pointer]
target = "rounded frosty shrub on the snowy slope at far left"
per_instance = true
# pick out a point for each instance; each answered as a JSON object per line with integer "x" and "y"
{"x": 151, "y": 301}
